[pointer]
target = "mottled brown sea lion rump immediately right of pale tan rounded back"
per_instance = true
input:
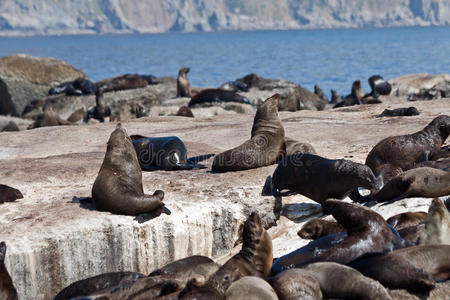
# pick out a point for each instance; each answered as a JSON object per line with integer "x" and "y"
{"x": 296, "y": 284}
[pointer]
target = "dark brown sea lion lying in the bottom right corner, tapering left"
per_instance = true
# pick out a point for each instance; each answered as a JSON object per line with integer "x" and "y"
{"x": 413, "y": 268}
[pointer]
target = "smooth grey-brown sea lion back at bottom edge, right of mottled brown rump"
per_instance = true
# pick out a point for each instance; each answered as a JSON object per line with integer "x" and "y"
{"x": 339, "y": 281}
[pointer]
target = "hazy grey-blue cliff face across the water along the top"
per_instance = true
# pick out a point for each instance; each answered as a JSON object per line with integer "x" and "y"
{"x": 30, "y": 17}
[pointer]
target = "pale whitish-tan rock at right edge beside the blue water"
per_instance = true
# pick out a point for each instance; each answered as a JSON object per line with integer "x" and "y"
{"x": 421, "y": 86}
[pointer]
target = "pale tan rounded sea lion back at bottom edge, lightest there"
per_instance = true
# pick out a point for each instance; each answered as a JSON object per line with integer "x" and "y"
{"x": 250, "y": 288}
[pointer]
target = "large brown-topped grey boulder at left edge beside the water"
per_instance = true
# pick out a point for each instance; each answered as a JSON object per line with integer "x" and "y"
{"x": 24, "y": 78}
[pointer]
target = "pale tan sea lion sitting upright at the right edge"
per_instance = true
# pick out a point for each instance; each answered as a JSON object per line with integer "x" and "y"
{"x": 437, "y": 225}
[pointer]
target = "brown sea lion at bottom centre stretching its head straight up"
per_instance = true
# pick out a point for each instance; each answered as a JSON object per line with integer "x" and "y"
{"x": 254, "y": 259}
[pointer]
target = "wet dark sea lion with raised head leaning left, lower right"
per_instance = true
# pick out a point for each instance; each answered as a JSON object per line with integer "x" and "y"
{"x": 367, "y": 232}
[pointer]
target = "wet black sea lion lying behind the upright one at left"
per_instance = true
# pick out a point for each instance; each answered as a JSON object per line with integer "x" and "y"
{"x": 162, "y": 153}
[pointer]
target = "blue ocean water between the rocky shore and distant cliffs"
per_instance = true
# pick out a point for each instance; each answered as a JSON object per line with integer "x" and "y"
{"x": 333, "y": 59}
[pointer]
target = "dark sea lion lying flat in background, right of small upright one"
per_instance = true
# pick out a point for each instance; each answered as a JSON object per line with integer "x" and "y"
{"x": 211, "y": 96}
